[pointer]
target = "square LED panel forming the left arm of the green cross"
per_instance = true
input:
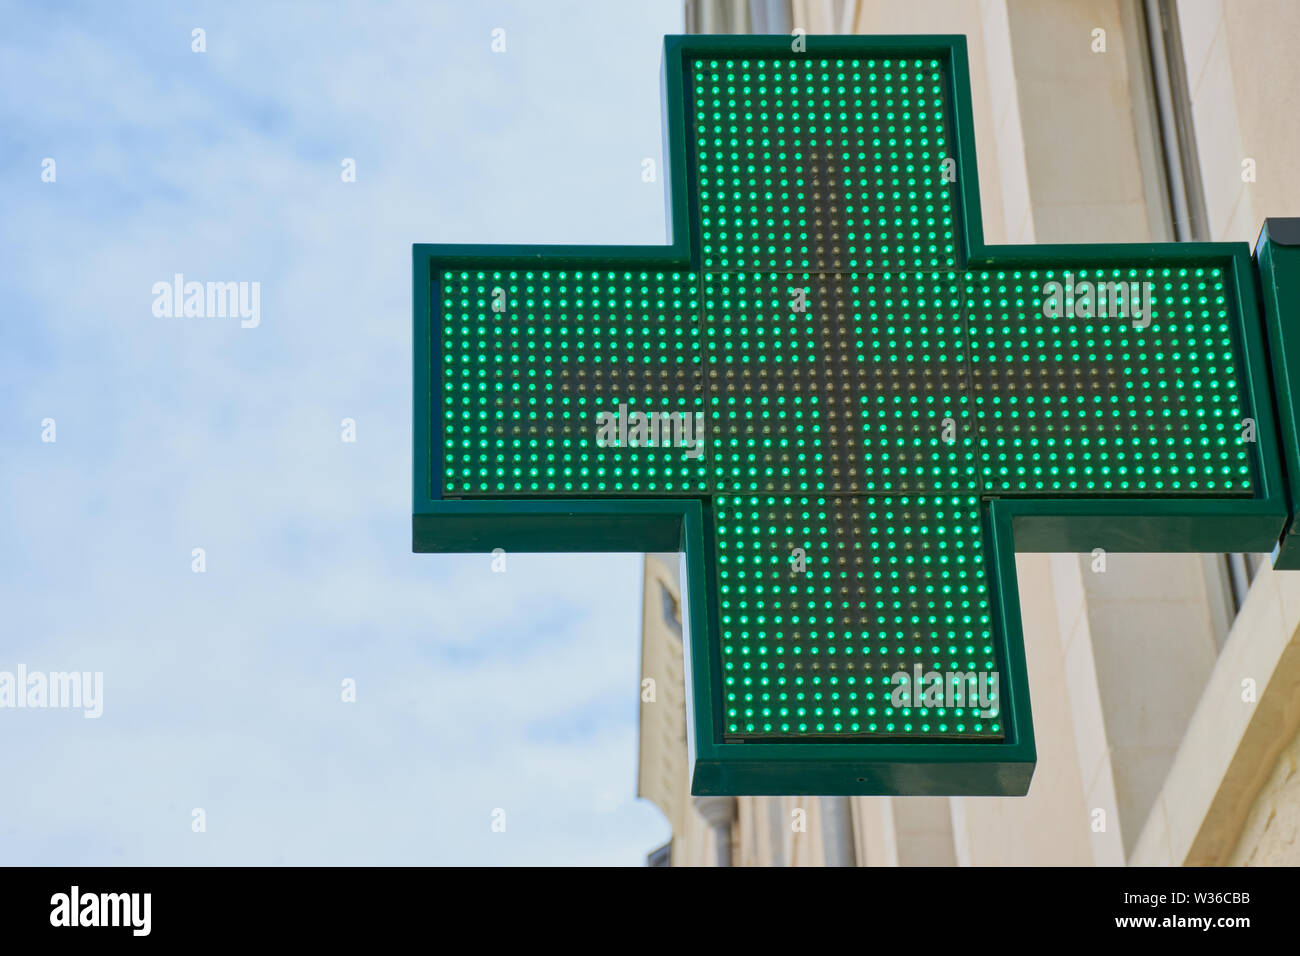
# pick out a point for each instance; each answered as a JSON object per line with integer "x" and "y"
{"x": 531, "y": 364}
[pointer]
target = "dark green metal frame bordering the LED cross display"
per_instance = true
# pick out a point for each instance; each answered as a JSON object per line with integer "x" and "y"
{"x": 1012, "y": 524}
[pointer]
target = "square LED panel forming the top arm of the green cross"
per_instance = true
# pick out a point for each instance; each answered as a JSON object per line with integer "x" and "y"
{"x": 822, "y": 165}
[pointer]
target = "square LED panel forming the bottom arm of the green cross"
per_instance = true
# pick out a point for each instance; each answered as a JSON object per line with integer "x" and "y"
{"x": 855, "y": 617}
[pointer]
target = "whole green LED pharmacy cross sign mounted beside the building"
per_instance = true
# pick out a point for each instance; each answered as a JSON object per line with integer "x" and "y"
{"x": 846, "y": 412}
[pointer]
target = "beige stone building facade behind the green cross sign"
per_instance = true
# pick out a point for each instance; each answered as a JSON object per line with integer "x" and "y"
{"x": 1167, "y": 689}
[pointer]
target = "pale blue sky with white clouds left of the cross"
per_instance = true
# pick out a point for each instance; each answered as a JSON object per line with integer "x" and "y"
{"x": 222, "y": 690}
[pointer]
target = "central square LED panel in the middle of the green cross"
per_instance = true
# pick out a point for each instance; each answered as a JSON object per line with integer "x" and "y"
{"x": 838, "y": 384}
